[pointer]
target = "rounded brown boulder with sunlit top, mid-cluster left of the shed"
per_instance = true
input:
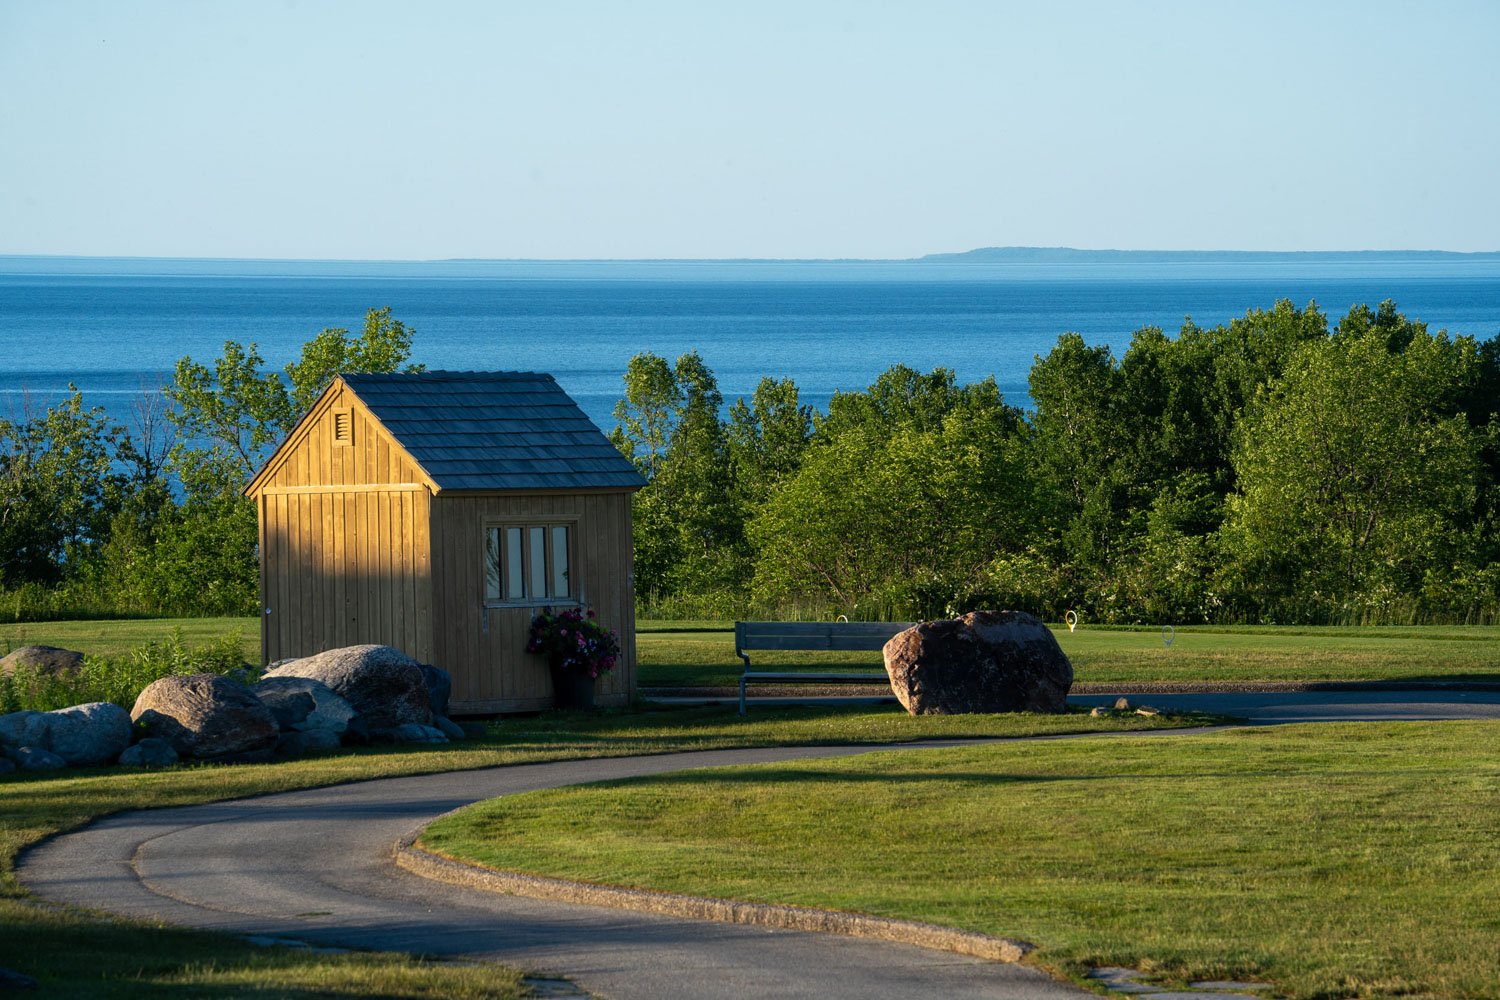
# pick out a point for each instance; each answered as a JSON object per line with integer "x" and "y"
{"x": 209, "y": 717}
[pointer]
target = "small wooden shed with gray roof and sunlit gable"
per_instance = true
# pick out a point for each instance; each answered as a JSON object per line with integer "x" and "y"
{"x": 437, "y": 512}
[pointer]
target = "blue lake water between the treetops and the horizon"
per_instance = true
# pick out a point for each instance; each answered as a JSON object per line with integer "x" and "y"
{"x": 116, "y": 328}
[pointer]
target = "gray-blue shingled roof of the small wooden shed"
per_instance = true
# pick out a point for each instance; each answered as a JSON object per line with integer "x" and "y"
{"x": 494, "y": 431}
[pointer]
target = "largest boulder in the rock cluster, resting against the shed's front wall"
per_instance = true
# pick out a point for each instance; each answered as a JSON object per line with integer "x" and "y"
{"x": 385, "y": 686}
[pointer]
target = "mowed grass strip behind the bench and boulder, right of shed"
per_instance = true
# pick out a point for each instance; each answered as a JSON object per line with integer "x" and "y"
{"x": 704, "y": 654}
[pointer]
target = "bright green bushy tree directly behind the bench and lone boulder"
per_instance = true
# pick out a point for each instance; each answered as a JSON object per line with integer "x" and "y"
{"x": 904, "y": 500}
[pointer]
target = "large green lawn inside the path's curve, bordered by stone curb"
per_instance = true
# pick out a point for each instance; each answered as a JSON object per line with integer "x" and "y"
{"x": 1334, "y": 861}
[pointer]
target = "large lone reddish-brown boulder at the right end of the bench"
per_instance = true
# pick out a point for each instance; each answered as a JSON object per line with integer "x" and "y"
{"x": 983, "y": 662}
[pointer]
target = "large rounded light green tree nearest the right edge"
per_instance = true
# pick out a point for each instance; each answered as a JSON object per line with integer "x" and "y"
{"x": 1355, "y": 478}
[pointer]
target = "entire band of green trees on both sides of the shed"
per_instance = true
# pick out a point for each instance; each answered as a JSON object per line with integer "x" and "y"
{"x": 1274, "y": 469}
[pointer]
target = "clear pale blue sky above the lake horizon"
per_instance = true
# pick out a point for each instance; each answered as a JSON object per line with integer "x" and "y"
{"x": 557, "y": 130}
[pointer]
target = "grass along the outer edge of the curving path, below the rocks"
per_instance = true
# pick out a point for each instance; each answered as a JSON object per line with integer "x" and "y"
{"x": 77, "y": 956}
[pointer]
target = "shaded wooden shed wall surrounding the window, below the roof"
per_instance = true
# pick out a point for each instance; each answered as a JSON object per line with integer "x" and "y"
{"x": 485, "y": 648}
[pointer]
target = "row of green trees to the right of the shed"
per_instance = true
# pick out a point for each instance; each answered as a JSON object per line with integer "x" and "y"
{"x": 1268, "y": 470}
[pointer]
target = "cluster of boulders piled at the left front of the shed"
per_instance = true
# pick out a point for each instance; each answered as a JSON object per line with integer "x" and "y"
{"x": 352, "y": 696}
